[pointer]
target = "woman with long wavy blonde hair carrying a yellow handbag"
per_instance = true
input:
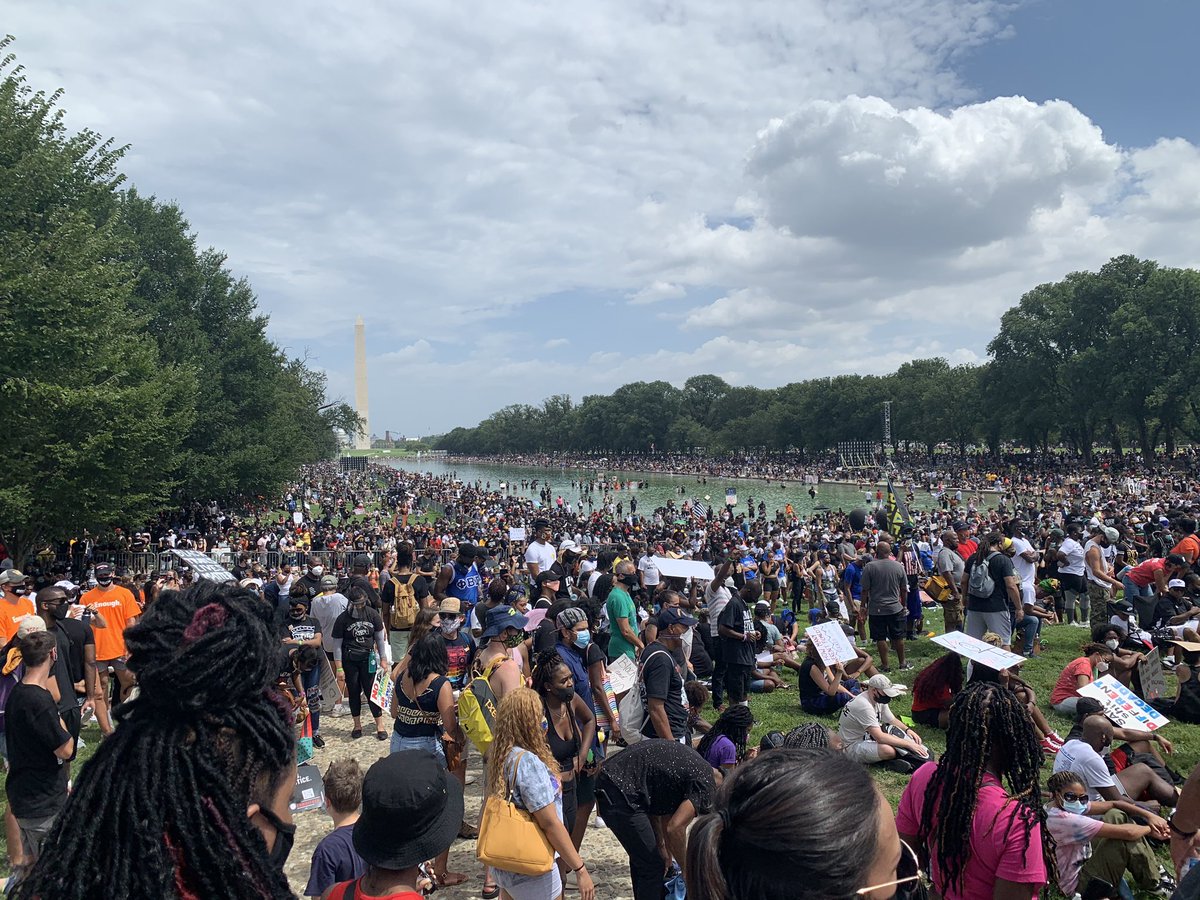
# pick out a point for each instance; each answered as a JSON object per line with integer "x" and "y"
{"x": 521, "y": 766}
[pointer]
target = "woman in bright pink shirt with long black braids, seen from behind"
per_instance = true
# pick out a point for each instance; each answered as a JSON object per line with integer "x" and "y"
{"x": 977, "y": 813}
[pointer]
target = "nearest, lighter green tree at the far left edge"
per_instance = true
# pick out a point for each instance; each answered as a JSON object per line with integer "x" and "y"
{"x": 93, "y": 416}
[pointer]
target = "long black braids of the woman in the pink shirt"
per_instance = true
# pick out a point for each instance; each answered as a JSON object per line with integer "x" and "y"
{"x": 989, "y": 725}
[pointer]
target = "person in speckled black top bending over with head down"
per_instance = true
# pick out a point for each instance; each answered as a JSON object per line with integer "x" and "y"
{"x": 649, "y": 796}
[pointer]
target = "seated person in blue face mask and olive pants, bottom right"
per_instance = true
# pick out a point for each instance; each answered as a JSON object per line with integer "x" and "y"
{"x": 1101, "y": 842}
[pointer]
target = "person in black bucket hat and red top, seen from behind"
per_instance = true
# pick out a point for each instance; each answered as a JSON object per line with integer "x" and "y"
{"x": 411, "y": 812}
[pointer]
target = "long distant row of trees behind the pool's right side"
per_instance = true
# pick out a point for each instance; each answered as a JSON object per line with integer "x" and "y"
{"x": 1099, "y": 358}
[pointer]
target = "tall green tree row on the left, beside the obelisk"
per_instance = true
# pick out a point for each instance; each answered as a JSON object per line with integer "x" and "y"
{"x": 136, "y": 373}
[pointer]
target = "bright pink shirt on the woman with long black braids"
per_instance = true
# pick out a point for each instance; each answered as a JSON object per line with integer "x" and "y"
{"x": 998, "y": 839}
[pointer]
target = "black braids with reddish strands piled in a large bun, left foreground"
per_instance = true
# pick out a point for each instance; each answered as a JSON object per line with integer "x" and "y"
{"x": 160, "y": 811}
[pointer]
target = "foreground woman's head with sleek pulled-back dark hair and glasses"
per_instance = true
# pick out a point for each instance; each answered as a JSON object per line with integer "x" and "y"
{"x": 781, "y": 829}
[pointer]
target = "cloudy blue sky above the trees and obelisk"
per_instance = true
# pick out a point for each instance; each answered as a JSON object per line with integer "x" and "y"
{"x": 526, "y": 199}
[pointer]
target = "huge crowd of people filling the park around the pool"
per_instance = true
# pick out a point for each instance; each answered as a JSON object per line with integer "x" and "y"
{"x": 599, "y": 689}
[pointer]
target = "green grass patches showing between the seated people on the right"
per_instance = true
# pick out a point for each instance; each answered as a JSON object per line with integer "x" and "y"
{"x": 782, "y": 711}
